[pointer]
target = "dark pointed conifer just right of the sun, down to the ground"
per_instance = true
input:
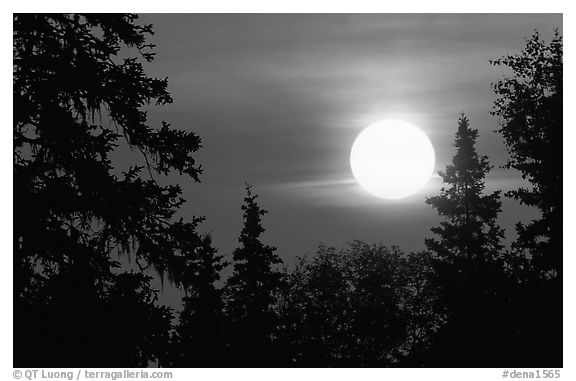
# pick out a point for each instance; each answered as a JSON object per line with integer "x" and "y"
{"x": 468, "y": 270}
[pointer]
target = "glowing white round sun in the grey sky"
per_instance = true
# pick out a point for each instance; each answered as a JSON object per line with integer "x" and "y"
{"x": 392, "y": 159}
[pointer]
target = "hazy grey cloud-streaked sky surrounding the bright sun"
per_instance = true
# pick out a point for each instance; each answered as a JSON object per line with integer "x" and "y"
{"x": 278, "y": 100}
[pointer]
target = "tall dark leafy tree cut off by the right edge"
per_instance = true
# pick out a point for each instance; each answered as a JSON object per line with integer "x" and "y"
{"x": 530, "y": 108}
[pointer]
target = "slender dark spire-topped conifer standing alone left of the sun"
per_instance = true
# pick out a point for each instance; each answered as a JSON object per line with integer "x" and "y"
{"x": 250, "y": 292}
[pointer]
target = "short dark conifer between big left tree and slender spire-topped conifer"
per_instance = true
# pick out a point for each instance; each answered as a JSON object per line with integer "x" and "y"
{"x": 199, "y": 340}
